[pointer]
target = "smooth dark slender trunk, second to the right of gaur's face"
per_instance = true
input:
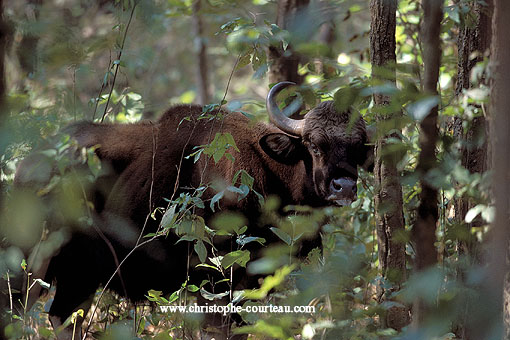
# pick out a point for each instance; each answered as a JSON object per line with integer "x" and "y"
{"x": 424, "y": 230}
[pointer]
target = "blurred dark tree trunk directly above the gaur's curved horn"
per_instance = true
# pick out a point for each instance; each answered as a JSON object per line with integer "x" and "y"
{"x": 284, "y": 63}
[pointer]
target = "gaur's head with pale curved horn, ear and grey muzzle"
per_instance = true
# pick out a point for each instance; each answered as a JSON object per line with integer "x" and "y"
{"x": 332, "y": 144}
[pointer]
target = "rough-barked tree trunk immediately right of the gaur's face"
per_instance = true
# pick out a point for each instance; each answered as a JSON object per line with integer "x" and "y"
{"x": 388, "y": 197}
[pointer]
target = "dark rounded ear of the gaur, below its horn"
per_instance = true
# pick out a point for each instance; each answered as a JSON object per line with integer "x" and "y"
{"x": 282, "y": 148}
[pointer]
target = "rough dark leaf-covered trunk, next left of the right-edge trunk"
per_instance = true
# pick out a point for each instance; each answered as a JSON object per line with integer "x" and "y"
{"x": 474, "y": 37}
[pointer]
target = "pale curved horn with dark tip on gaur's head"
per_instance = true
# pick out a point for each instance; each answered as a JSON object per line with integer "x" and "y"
{"x": 286, "y": 124}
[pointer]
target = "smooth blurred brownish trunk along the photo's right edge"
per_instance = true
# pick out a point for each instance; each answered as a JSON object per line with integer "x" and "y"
{"x": 500, "y": 133}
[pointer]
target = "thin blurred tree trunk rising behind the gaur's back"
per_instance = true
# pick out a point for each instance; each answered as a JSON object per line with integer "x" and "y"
{"x": 202, "y": 74}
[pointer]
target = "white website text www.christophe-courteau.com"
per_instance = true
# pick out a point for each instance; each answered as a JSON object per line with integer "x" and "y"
{"x": 229, "y": 309}
